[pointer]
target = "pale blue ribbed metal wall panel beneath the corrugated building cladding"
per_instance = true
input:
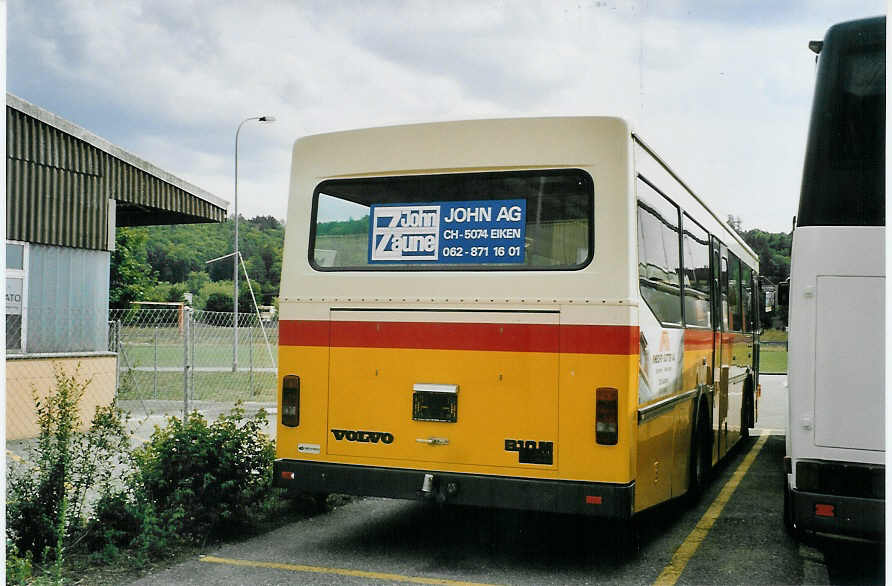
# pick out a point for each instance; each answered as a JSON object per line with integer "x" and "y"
{"x": 67, "y": 307}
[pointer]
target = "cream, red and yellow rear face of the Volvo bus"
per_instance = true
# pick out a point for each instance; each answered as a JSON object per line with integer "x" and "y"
{"x": 459, "y": 317}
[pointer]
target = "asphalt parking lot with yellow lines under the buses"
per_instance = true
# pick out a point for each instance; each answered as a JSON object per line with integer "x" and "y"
{"x": 733, "y": 534}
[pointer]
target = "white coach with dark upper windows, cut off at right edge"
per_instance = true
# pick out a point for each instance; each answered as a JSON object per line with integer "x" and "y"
{"x": 836, "y": 379}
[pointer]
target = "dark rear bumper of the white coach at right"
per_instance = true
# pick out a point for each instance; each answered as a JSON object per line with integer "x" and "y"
{"x": 858, "y": 517}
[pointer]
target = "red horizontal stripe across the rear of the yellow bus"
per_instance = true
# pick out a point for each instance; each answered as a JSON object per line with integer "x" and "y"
{"x": 582, "y": 339}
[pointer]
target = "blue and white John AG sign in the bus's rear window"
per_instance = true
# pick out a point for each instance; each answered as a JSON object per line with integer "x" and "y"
{"x": 490, "y": 231}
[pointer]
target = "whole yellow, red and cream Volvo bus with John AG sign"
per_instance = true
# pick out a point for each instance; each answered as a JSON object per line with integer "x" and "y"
{"x": 535, "y": 314}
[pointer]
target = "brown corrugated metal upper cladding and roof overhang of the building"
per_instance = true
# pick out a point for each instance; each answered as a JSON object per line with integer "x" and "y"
{"x": 61, "y": 176}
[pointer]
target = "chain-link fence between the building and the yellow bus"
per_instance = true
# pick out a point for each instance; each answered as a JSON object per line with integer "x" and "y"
{"x": 178, "y": 359}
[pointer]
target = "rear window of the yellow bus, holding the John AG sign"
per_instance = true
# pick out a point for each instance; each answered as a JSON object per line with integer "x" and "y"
{"x": 521, "y": 220}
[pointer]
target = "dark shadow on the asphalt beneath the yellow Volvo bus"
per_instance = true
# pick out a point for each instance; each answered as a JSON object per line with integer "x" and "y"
{"x": 470, "y": 539}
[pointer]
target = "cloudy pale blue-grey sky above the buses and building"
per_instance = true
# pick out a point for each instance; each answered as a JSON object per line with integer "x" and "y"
{"x": 722, "y": 90}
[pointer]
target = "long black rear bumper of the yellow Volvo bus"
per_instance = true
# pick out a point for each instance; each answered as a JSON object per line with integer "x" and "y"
{"x": 596, "y": 499}
